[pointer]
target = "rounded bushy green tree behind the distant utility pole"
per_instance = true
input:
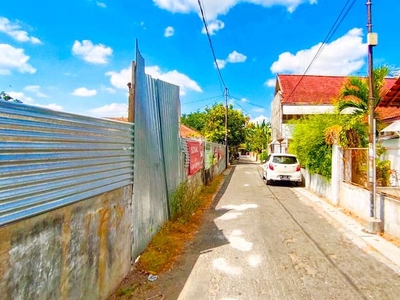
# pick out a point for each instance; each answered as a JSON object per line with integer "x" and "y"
{"x": 214, "y": 129}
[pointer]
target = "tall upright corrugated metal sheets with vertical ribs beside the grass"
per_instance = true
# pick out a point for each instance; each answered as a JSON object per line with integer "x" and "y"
{"x": 157, "y": 149}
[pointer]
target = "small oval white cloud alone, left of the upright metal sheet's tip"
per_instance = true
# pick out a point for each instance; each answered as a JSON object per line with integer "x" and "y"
{"x": 95, "y": 54}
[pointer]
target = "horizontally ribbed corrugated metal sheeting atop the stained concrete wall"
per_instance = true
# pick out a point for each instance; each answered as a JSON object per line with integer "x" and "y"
{"x": 49, "y": 159}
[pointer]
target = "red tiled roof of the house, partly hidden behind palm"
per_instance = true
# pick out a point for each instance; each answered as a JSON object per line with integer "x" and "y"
{"x": 314, "y": 89}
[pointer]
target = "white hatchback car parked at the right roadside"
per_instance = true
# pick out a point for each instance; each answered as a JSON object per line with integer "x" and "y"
{"x": 282, "y": 167}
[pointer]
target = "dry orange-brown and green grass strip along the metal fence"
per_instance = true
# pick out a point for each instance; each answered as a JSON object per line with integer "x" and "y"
{"x": 188, "y": 205}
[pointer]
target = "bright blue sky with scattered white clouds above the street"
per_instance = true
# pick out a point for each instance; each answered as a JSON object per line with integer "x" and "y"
{"x": 75, "y": 55}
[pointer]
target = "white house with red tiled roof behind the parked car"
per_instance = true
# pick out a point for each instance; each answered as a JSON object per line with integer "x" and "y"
{"x": 299, "y": 95}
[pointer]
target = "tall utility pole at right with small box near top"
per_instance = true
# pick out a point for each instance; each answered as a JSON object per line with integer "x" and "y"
{"x": 372, "y": 41}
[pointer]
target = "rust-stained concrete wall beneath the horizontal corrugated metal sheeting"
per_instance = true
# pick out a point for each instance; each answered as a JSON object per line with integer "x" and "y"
{"x": 81, "y": 251}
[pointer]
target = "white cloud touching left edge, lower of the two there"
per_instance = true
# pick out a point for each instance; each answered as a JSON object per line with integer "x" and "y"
{"x": 14, "y": 59}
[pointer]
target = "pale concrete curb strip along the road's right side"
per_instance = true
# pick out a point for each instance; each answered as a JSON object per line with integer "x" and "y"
{"x": 390, "y": 254}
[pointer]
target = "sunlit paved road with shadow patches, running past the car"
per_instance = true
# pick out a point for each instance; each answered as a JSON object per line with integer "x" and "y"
{"x": 262, "y": 242}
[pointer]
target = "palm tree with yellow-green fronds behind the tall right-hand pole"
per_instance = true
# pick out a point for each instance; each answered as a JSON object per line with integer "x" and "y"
{"x": 354, "y": 96}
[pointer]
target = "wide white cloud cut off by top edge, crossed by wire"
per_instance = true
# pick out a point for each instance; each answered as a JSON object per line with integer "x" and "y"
{"x": 215, "y": 8}
